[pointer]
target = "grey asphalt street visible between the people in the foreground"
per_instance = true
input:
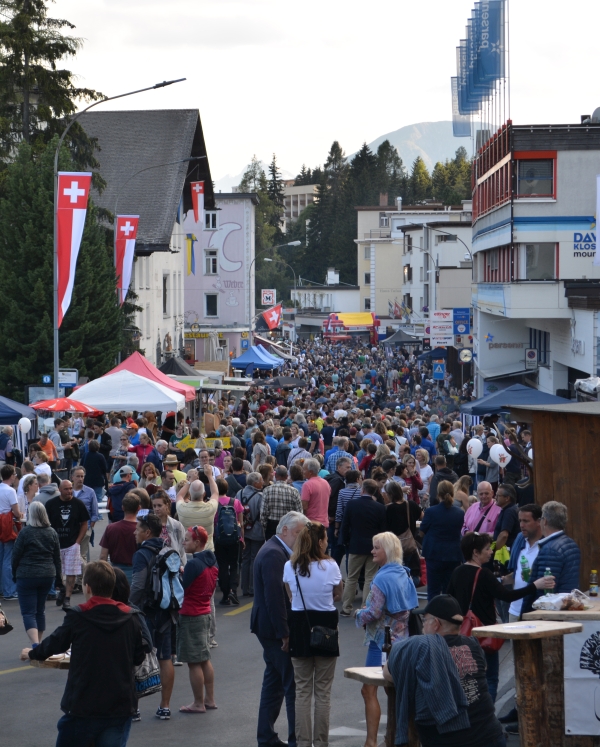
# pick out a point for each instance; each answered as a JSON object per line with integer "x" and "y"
{"x": 238, "y": 670}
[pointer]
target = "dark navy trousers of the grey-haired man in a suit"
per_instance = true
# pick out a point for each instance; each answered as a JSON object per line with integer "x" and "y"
{"x": 278, "y": 682}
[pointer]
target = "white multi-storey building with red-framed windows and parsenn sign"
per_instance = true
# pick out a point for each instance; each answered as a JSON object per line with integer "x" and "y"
{"x": 536, "y": 290}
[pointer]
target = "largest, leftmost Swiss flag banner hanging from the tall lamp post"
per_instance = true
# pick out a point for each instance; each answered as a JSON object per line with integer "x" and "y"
{"x": 73, "y": 192}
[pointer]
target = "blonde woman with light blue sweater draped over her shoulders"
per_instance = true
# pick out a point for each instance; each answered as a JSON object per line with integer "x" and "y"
{"x": 392, "y": 597}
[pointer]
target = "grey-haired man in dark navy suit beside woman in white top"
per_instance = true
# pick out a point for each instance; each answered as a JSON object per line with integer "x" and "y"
{"x": 269, "y": 622}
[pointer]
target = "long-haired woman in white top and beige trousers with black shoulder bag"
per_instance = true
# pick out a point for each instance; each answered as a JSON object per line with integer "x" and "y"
{"x": 313, "y": 582}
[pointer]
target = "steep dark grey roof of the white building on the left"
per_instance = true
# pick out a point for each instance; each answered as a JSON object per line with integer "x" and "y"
{"x": 130, "y": 141}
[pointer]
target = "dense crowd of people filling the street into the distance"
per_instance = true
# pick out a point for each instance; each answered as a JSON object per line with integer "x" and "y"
{"x": 357, "y": 481}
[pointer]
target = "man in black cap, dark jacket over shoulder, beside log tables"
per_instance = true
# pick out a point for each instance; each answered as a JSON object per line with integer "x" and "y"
{"x": 465, "y": 716}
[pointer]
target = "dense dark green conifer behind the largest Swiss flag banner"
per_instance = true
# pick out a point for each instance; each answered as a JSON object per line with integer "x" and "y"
{"x": 92, "y": 331}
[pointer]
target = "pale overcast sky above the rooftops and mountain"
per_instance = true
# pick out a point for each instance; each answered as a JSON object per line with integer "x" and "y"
{"x": 291, "y": 77}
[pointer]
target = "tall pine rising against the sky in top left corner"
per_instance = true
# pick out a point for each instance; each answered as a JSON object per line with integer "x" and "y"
{"x": 35, "y": 93}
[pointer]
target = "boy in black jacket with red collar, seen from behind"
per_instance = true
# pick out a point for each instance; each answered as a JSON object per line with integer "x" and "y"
{"x": 106, "y": 644}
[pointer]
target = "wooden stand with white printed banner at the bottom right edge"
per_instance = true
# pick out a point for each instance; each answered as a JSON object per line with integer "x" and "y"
{"x": 572, "y": 672}
